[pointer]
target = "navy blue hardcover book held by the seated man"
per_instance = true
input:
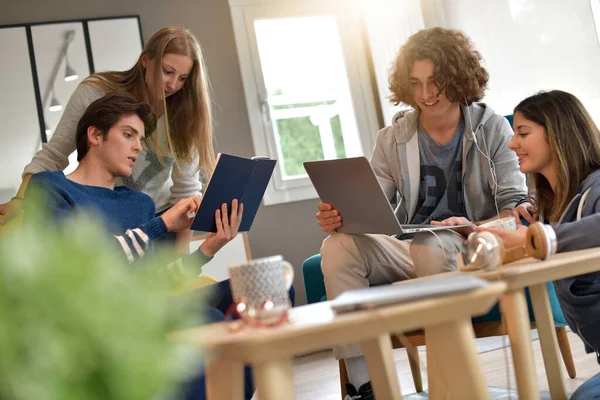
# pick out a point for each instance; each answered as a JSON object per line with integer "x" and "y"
{"x": 234, "y": 177}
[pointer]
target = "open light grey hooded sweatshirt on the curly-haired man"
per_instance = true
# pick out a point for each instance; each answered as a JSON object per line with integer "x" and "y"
{"x": 490, "y": 177}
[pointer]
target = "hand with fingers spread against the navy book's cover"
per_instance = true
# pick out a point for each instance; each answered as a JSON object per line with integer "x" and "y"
{"x": 226, "y": 228}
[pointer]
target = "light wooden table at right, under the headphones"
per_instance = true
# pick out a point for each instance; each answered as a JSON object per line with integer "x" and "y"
{"x": 535, "y": 274}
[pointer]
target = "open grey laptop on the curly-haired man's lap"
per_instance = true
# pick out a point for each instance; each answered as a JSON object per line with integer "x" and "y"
{"x": 351, "y": 187}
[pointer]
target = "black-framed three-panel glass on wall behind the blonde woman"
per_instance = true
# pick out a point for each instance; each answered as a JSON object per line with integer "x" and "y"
{"x": 48, "y": 61}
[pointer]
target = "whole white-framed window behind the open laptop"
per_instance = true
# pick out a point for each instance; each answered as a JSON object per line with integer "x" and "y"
{"x": 307, "y": 86}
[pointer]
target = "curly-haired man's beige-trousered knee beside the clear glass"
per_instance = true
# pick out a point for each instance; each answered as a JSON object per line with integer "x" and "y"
{"x": 432, "y": 254}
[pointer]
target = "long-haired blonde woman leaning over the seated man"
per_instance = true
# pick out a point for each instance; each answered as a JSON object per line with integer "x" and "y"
{"x": 170, "y": 76}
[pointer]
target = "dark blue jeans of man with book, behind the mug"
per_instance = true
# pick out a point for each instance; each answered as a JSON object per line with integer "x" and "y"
{"x": 218, "y": 299}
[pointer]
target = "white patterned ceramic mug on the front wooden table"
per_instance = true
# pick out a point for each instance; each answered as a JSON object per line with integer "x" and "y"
{"x": 259, "y": 281}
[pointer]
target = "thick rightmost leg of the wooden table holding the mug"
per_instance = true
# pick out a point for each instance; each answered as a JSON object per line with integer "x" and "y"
{"x": 457, "y": 365}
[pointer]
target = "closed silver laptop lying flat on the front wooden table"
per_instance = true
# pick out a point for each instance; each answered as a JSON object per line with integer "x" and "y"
{"x": 410, "y": 290}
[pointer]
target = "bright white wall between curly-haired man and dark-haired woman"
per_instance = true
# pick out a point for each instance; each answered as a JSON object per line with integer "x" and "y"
{"x": 532, "y": 45}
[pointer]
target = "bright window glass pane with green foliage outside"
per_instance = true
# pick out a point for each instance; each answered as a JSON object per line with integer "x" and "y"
{"x": 307, "y": 91}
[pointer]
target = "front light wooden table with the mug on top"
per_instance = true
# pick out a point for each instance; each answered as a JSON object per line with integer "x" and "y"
{"x": 447, "y": 323}
